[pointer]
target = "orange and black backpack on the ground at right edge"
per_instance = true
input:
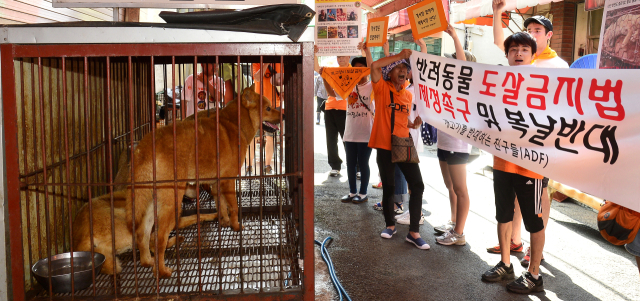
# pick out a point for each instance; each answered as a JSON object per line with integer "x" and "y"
{"x": 617, "y": 224}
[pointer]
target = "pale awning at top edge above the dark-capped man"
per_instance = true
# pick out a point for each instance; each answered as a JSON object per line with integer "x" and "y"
{"x": 481, "y": 8}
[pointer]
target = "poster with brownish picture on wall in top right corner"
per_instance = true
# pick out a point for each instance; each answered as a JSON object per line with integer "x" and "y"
{"x": 619, "y": 42}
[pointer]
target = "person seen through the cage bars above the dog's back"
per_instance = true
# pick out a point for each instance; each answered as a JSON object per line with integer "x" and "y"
{"x": 206, "y": 97}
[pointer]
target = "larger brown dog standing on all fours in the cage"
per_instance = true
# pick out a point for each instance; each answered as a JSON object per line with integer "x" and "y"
{"x": 141, "y": 209}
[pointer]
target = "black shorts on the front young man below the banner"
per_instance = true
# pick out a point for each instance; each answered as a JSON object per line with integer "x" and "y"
{"x": 506, "y": 186}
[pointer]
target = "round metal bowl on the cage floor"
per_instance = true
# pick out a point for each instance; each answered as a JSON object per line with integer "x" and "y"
{"x": 61, "y": 271}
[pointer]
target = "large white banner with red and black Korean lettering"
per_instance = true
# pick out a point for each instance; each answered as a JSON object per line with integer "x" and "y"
{"x": 574, "y": 126}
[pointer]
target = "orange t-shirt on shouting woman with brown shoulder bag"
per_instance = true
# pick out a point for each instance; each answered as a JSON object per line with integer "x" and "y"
{"x": 381, "y": 131}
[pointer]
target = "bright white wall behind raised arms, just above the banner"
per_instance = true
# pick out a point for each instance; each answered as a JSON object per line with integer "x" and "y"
{"x": 481, "y": 42}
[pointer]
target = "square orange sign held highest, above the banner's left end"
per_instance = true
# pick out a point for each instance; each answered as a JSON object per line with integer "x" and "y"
{"x": 426, "y": 18}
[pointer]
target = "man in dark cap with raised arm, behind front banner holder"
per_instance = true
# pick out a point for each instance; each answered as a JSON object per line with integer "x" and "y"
{"x": 541, "y": 29}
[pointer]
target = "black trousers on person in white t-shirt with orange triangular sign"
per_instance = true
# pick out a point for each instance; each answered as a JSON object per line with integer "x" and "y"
{"x": 358, "y": 154}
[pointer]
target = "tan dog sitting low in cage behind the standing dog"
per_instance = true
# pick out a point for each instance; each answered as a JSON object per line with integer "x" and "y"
{"x": 101, "y": 208}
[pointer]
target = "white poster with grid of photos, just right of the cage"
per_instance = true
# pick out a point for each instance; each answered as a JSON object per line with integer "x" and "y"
{"x": 337, "y": 30}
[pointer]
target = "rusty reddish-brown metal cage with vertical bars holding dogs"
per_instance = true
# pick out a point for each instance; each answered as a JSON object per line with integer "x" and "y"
{"x": 72, "y": 113}
